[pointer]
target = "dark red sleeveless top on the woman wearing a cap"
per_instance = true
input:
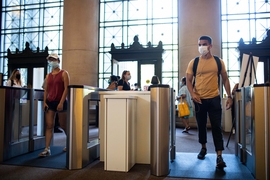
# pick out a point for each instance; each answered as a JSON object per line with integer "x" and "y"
{"x": 55, "y": 86}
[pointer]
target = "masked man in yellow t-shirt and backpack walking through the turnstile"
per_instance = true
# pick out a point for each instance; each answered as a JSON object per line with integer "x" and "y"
{"x": 206, "y": 98}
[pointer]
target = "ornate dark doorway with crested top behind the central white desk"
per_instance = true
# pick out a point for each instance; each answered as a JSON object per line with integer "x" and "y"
{"x": 142, "y": 62}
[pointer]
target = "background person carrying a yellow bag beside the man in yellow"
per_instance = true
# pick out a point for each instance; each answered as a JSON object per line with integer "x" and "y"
{"x": 184, "y": 93}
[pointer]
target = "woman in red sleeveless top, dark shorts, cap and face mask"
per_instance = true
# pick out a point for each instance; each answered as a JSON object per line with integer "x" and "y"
{"x": 55, "y": 94}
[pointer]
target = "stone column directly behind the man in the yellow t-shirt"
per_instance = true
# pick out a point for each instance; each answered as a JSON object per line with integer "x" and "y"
{"x": 197, "y": 18}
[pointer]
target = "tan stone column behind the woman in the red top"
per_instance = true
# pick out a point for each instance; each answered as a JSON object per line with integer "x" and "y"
{"x": 80, "y": 41}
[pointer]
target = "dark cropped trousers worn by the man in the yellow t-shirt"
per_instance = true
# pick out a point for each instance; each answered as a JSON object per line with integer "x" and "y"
{"x": 211, "y": 107}
